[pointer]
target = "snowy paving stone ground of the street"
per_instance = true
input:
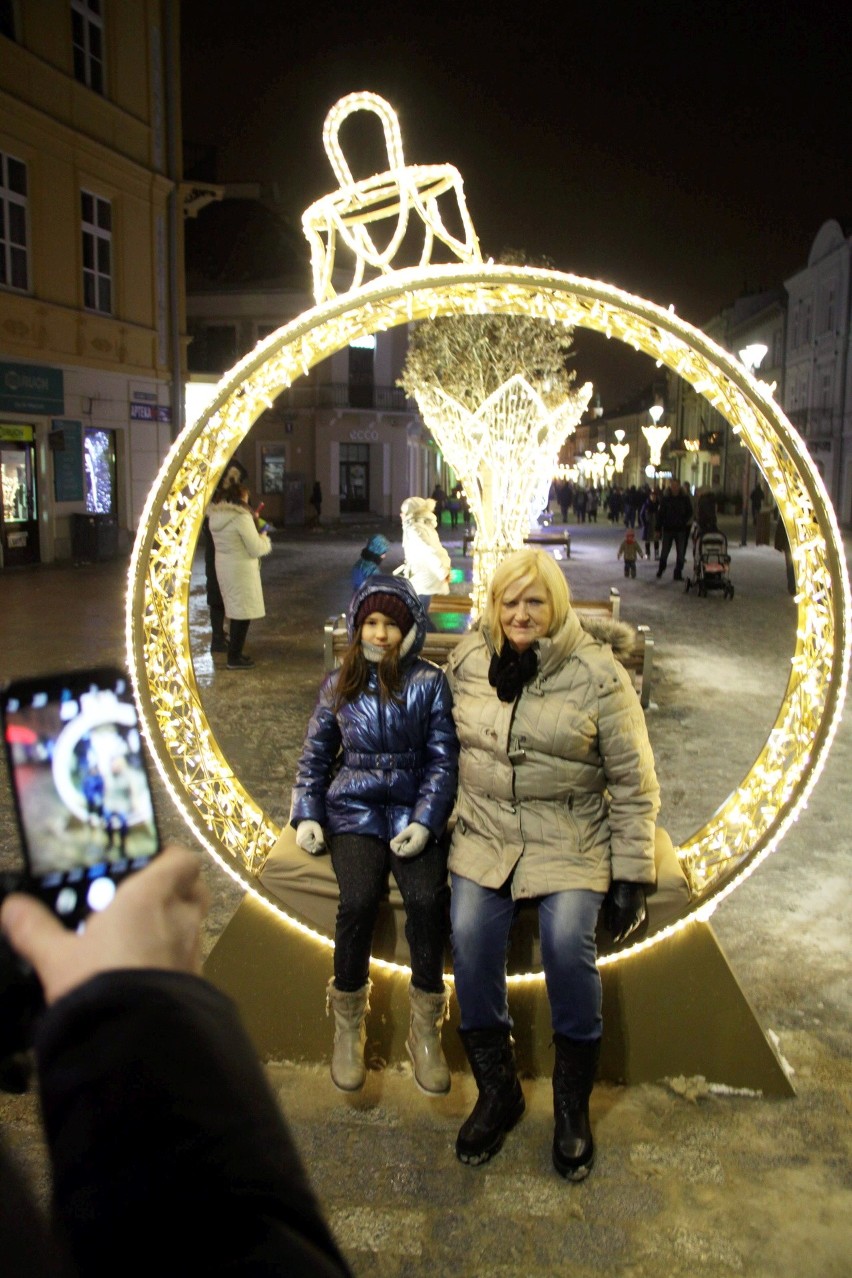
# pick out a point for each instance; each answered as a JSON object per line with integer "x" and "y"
{"x": 689, "y": 1180}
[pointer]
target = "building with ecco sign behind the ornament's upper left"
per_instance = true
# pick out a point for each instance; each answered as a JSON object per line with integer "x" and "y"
{"x": 346, "y": 425}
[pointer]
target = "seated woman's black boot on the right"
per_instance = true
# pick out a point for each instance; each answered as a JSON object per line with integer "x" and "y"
{"x": 574, "y": 1074}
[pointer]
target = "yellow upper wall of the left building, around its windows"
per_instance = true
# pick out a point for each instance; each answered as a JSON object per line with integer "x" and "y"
{"x": 73, "y": 140}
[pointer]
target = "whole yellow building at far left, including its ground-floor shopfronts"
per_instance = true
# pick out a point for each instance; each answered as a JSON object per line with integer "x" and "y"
{"x": 93, "y": 343}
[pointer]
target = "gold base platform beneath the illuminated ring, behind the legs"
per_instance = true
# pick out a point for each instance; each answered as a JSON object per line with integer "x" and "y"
{"x": 676, "y": 1009}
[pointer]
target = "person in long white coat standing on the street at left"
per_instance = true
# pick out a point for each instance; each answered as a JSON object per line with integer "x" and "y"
{"x": 240, "y": 549}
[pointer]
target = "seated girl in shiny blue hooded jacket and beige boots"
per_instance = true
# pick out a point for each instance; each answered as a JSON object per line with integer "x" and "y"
{"x": 376, "y": 784}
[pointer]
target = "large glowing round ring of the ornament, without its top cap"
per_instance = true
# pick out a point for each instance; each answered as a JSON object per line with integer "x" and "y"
{"x": 224, "y": 817}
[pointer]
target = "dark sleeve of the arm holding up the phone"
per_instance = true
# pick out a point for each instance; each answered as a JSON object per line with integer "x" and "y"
{"x": 167, "y": 1142}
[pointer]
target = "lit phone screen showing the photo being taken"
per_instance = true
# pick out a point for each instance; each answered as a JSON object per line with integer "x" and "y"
{"x": 81, "y": 787}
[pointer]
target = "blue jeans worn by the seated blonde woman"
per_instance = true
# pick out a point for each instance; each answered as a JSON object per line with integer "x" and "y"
{"x": 481, "y": 922}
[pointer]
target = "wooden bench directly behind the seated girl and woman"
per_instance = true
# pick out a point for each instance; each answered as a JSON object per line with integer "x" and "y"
{"x": 440, "y": 643}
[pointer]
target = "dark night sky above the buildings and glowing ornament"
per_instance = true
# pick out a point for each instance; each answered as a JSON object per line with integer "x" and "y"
{"x": 684, "y": 153}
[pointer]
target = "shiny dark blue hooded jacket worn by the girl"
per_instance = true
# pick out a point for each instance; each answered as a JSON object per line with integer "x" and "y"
{"x": 372, "y": 767}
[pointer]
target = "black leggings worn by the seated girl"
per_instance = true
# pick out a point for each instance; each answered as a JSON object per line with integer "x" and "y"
{"x": 362, "y": 865}
